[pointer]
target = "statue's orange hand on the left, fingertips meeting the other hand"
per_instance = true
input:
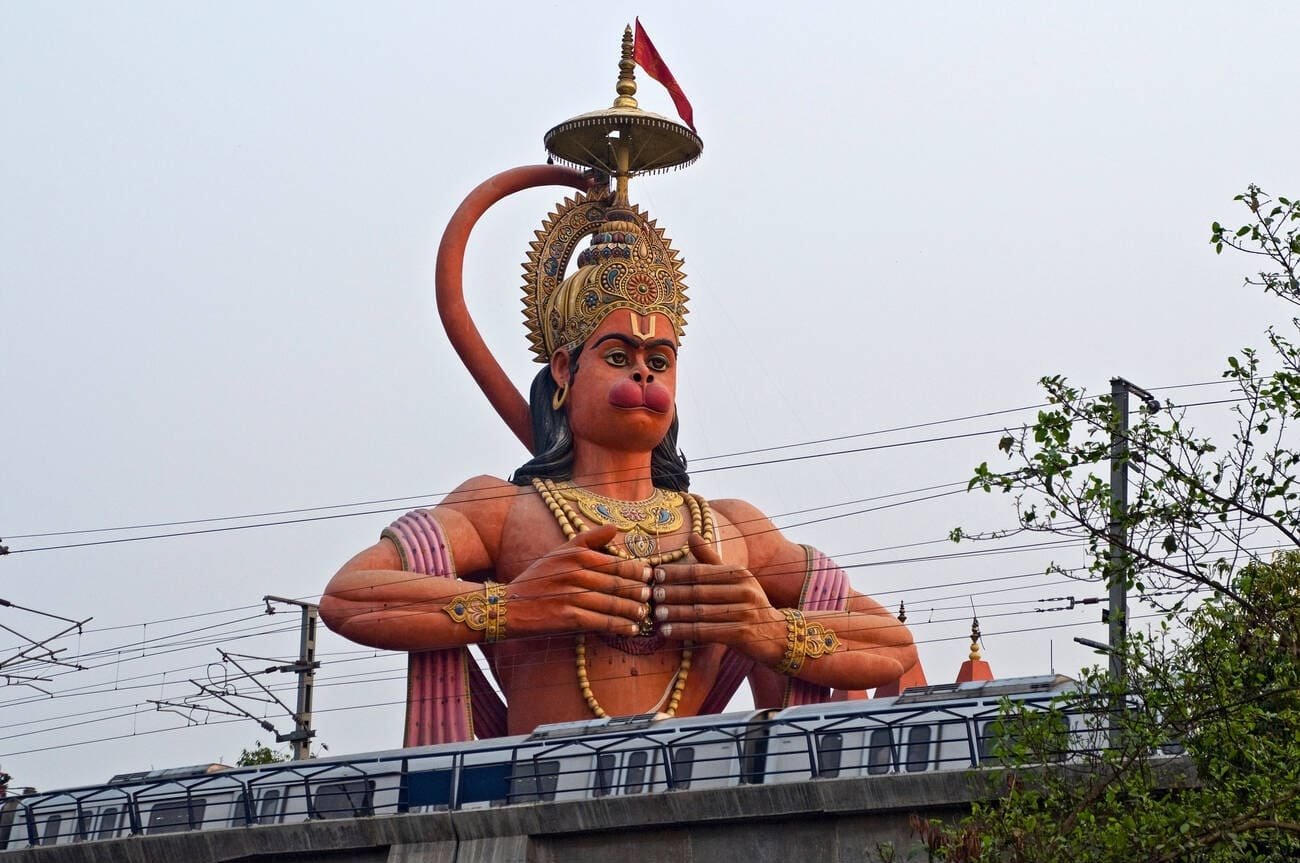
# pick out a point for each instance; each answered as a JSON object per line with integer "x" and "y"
{"x": 580, "y": 588}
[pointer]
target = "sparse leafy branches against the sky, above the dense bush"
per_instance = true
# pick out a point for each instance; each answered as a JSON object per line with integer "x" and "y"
{"x": 1199, "y": 510}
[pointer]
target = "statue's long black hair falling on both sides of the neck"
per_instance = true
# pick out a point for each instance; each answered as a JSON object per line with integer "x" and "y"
{"x": 553, "y": 441}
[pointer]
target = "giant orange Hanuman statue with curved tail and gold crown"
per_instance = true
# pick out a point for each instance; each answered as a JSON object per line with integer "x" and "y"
{"x": 595, "y": 583}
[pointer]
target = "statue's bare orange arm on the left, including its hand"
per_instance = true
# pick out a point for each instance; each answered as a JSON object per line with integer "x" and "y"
{"x": 376, "y": 600}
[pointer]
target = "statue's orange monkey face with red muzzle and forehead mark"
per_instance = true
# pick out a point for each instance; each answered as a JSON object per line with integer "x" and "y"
{"x": 623, "y": 396}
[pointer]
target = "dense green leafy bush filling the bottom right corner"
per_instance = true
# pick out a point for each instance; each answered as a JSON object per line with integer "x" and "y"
{"x": 1229, "y": 692}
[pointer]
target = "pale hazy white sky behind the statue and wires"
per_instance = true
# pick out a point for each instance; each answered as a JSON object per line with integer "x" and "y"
{"x": 216, "y": 250}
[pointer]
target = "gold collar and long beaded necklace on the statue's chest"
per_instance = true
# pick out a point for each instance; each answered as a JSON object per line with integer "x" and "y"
{"x": 558, "y": 498}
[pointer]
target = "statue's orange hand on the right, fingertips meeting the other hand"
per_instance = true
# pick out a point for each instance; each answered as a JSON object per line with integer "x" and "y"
{"x": 710, "y": 601}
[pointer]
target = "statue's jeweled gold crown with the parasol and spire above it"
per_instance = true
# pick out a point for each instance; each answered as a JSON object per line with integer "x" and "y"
{"x": 630, "y": 264}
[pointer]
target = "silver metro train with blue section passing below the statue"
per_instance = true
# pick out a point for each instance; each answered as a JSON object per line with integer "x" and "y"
{"x": 943, "y": 727}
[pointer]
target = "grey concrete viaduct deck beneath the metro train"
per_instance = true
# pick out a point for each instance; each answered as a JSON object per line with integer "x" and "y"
{"x": 826, "y": 821}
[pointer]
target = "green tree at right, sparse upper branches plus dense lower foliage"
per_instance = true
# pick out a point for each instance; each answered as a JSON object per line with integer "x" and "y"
{"x": 1212, "y": 543}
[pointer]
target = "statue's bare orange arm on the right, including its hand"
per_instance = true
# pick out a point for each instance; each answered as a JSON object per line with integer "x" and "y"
{"x": 765, "y": 574}
